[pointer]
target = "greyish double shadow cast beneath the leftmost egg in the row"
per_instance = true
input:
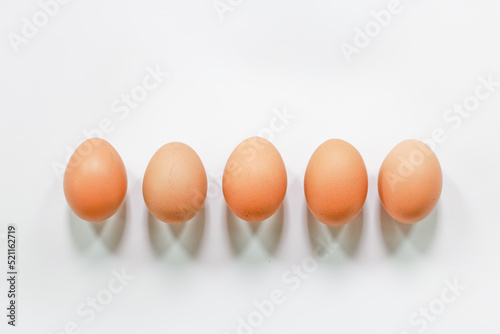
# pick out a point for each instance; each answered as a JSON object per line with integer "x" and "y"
{"x": 108, "y": 233}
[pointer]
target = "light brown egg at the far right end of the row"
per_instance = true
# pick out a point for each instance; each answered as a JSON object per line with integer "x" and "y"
{"x": 410, "y": 181}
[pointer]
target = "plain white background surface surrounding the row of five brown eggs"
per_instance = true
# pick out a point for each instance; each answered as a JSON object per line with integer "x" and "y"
{"x": 226, "y": 78}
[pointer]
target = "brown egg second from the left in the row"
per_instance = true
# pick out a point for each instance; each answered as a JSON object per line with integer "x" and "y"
{"x": 175, "y": 183}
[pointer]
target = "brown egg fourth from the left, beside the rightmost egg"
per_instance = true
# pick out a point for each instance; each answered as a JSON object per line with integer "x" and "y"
{"x": 336, "y": 182}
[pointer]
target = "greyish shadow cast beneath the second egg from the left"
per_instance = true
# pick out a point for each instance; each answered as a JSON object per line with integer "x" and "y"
{"x": 165, "y": 237}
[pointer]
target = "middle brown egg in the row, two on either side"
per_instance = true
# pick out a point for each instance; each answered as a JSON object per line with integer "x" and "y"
{"x": 254, "y": 181}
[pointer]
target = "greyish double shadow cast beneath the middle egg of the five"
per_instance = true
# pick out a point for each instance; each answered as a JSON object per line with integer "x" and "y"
{"x": 265, "y": 235}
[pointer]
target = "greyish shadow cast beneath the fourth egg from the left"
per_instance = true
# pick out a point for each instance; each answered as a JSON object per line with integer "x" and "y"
{"x": 341, "y": 242}
